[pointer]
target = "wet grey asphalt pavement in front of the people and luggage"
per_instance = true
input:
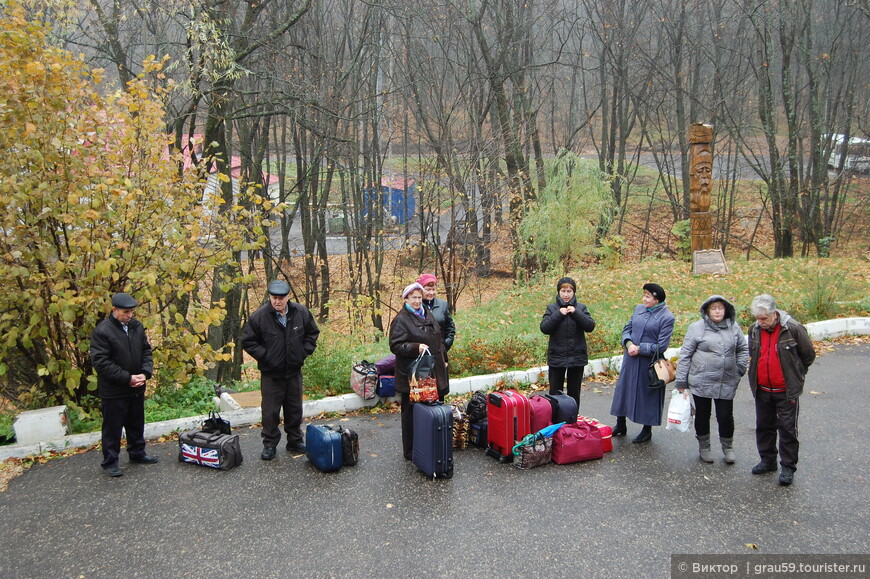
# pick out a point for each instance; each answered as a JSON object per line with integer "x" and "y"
{"x": 624, "y": 515}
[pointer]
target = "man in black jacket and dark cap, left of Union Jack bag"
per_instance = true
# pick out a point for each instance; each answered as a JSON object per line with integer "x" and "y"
{"x": 121, "y": 356}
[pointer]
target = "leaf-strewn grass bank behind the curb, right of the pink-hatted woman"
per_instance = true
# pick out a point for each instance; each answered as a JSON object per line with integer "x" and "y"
{"x": 811, "y": 290}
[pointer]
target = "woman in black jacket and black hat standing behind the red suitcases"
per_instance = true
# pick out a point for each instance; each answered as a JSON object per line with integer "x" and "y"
{"x": 566, "y": 321}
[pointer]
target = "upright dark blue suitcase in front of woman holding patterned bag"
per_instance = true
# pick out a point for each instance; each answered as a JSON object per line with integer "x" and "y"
{"x": 433, "y": 439}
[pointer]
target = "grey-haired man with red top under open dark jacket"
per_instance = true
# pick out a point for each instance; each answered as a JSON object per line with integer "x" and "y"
{"x": 781, "y": 352}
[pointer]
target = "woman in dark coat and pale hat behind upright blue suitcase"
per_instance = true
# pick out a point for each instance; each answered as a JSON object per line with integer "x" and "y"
{"x": 413, "y": 330}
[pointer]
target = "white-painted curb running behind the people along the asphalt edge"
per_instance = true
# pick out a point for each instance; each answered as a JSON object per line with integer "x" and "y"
{"x": 348, "y": 402}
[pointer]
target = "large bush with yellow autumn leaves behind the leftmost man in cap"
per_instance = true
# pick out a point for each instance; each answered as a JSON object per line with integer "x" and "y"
{"x": 94, "y": 204}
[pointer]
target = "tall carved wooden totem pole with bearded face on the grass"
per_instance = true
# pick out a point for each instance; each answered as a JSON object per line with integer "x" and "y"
{"x": 700, "y": 185}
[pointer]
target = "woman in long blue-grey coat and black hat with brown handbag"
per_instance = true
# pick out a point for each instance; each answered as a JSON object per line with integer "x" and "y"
{"x": 647, "y": 334}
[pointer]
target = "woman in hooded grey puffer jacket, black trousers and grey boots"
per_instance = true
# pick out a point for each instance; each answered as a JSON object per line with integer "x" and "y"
{"x": 713, "y": 358}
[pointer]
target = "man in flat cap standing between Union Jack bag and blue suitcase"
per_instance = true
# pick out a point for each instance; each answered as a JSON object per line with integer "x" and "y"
{"x": 279, "y": 336}
